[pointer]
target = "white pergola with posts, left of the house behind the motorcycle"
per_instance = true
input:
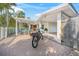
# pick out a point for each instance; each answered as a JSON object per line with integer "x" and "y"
{"x": 27, "y": 21}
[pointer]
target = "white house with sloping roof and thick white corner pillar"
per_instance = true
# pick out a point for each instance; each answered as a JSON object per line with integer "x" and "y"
{"x": 54, "y": 19}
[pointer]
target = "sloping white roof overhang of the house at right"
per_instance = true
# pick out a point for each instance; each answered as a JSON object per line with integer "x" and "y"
{"x": 52, "y": 13}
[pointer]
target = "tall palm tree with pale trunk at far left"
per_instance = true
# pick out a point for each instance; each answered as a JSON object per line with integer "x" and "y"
{"x": 5, "y": 14}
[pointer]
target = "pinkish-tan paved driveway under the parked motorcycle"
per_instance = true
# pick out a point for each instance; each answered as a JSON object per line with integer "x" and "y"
{"x": 22, "y": 46}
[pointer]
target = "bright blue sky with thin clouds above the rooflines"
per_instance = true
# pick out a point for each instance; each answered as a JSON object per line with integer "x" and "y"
{"x": 32, "y": 9}
